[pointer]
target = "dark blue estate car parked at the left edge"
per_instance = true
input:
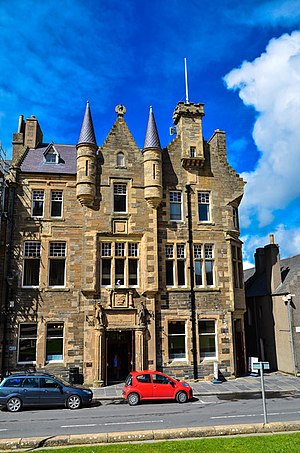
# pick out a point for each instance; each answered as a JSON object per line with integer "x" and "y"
{"x": 37, "y": 389}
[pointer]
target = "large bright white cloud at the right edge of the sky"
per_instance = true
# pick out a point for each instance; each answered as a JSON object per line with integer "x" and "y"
{"x": 271, "y": 84}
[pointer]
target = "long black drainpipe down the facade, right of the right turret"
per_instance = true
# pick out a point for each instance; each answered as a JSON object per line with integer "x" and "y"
{"x": 192, "y": 280}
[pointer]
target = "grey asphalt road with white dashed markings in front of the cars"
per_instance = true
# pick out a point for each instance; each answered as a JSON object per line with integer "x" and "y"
{"x": 117, "y": 416}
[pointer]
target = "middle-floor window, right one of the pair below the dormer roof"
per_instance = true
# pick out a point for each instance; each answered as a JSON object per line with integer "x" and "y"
{"x": 57, "y": 263}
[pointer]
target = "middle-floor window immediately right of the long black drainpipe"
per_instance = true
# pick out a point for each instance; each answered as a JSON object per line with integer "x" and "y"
{"x": 204, "y": 268}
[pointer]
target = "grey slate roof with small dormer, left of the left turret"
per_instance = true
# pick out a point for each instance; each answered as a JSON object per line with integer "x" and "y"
{"x": 34, "y": 160}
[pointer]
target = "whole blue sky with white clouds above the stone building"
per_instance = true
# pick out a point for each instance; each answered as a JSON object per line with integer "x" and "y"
{"x": 243, "y": 64}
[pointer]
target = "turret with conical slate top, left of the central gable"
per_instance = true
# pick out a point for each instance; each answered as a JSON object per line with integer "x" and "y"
{"x": 86, "y": 161}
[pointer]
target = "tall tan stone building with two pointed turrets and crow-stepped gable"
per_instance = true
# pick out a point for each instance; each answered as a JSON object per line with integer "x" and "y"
{"x": 125, "y": 258}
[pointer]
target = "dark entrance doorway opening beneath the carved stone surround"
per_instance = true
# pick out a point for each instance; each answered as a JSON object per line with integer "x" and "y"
{"x": 119, "y": 355}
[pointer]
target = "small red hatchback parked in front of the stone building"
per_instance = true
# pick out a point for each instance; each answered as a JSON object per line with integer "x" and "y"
{"x": 154, "y": 385}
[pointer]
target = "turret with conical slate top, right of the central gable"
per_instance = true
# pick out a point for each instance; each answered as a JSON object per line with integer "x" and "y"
{"x": 152, "y": 163}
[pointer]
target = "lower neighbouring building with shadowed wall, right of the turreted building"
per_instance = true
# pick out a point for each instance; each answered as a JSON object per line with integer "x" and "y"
{"x": 272, "y": 320}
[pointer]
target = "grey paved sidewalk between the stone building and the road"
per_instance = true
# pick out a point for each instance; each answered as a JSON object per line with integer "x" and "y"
{"x": 274, "y": 383}
